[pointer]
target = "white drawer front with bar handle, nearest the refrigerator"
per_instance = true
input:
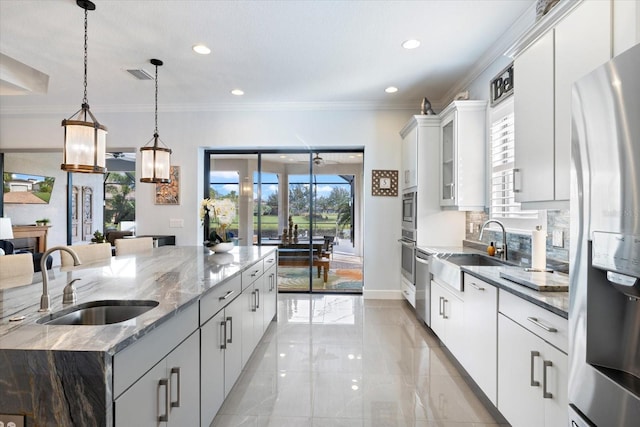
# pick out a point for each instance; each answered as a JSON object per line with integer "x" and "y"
{"x": 547, "y": 325}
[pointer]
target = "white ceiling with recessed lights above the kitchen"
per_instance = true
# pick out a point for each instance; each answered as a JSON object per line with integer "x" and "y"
{"x": 300, "y": 54}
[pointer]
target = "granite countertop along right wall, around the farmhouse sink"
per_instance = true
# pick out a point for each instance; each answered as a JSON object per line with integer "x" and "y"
{"x": 555, "y": 301}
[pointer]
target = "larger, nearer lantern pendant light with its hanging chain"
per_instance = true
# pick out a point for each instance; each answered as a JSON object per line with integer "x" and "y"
{"x": 84, "y": 141}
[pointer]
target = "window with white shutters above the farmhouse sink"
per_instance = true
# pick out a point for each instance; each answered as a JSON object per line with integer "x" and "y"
{"x": 503, "y": 203}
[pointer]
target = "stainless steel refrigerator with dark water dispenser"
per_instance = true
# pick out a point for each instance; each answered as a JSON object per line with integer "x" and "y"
{"x": 604, "y": 308}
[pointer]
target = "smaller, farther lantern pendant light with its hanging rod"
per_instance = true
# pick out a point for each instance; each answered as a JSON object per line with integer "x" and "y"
{"x": 156, "y": 160}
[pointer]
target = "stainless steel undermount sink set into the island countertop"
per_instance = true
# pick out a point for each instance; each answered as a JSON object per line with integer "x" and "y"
{"x": 105, "y": 312}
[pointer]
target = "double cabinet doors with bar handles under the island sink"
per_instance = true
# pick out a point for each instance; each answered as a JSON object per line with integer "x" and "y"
{"x": 167, "y": 394}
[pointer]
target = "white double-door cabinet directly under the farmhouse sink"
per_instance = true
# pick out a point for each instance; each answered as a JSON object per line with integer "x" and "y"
{"x": 447, "y": 318}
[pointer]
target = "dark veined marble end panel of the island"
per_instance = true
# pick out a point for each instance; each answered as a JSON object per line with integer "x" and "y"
{"x": 57, "y": 388}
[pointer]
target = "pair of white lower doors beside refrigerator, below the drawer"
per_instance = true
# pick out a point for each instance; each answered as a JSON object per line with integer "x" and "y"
{"x": 532, "y": 378}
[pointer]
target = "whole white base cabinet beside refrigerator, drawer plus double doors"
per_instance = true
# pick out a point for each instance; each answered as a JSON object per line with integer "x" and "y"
{"x": 532, "y": 373}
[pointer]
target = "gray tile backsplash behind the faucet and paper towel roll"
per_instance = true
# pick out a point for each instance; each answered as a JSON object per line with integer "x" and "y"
{"x": 519, "y": 245}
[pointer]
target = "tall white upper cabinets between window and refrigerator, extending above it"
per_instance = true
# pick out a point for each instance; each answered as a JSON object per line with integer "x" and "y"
{"x": 544, "y": 74}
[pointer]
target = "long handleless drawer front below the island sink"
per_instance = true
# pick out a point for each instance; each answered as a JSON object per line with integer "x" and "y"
{"x": 132, "y": 362}
